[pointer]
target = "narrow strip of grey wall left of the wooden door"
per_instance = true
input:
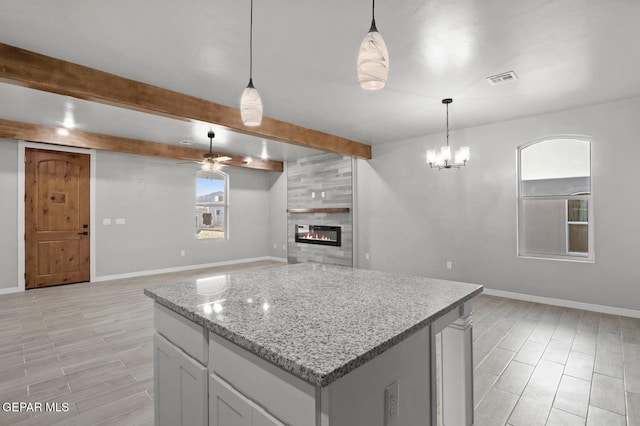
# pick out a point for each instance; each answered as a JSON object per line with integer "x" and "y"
{"x": 8, "y": 213}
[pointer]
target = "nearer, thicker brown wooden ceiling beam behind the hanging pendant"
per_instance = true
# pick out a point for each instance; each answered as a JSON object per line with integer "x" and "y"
{"x": 30, "y": 69}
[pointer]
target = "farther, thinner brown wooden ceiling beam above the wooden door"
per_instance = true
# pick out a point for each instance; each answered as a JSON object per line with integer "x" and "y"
{"x": 80, "y": 139}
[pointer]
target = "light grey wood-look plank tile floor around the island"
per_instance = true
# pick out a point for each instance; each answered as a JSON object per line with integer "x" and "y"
{"x": 90, "y": 346}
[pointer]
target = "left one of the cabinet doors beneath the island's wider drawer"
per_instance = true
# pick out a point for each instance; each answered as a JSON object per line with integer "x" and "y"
{"x": 227, "y": 407}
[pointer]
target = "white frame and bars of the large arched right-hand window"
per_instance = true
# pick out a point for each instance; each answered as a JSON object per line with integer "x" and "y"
{"x": 579, "y": 257}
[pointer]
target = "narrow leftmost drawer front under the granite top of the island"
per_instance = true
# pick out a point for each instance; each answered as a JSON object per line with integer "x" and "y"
{"x": 187, "y": 335}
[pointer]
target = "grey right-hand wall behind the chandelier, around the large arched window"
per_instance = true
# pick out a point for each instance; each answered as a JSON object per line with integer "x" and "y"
{"x": 413, "y": 219}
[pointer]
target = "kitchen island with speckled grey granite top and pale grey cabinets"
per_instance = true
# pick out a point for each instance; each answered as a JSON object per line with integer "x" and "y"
{"x": 311, "y": 344}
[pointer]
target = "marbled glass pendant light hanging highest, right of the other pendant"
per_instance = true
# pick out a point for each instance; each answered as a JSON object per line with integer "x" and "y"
{"x": 373, "y": 58}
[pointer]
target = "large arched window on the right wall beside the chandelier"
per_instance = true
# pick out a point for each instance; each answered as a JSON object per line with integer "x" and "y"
{"x": 555, "y": 212}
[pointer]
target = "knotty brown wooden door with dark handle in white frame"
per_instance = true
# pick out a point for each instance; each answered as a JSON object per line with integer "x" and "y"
{"x": 56, "y": 218}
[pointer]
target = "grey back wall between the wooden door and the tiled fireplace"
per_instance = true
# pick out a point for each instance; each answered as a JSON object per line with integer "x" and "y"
{"x": 156, "y": 198}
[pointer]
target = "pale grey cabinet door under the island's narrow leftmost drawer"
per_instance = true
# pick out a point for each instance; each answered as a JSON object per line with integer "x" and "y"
{"x": 180, "y": 386}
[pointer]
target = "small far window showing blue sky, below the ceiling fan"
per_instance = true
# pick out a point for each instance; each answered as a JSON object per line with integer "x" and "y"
{"x": 212, "y": 205}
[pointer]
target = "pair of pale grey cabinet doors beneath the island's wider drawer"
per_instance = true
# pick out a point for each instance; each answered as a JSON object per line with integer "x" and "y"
{"x": 228, "y": 407}
